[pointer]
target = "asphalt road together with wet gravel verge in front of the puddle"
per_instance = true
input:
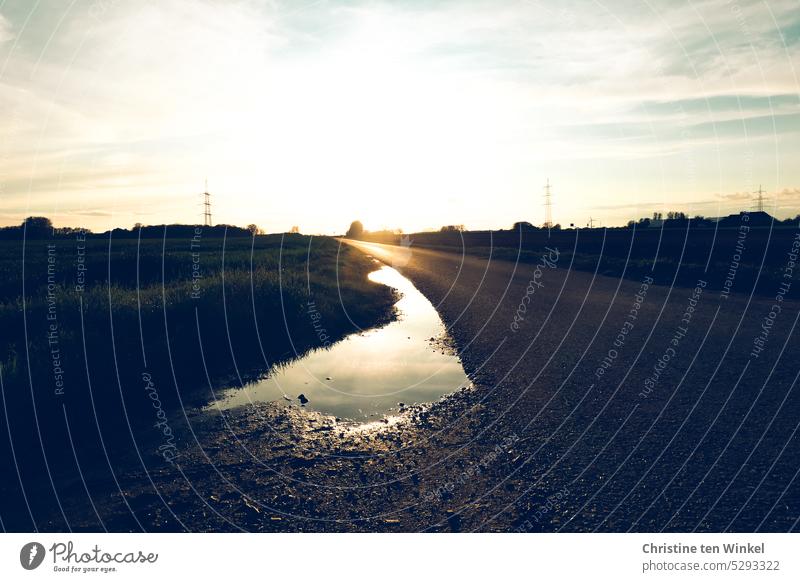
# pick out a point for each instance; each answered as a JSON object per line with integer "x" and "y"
{"x": 572, "y": 424}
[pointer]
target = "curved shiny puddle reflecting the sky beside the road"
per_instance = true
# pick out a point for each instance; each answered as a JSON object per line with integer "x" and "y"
{"x": 368, "y": 374}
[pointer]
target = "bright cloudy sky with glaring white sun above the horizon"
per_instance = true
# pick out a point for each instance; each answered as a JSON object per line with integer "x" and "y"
{"x": 406, "y": 114}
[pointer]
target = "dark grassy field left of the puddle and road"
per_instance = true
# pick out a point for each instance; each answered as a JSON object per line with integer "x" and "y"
{"x": 96, "y": 332}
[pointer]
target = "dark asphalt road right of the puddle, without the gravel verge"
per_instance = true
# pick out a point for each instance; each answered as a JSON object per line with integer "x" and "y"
{"x": 642, "y": 406}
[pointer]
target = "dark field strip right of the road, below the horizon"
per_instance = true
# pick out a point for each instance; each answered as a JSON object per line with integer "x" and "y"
{"x": 677, "y": 256}
